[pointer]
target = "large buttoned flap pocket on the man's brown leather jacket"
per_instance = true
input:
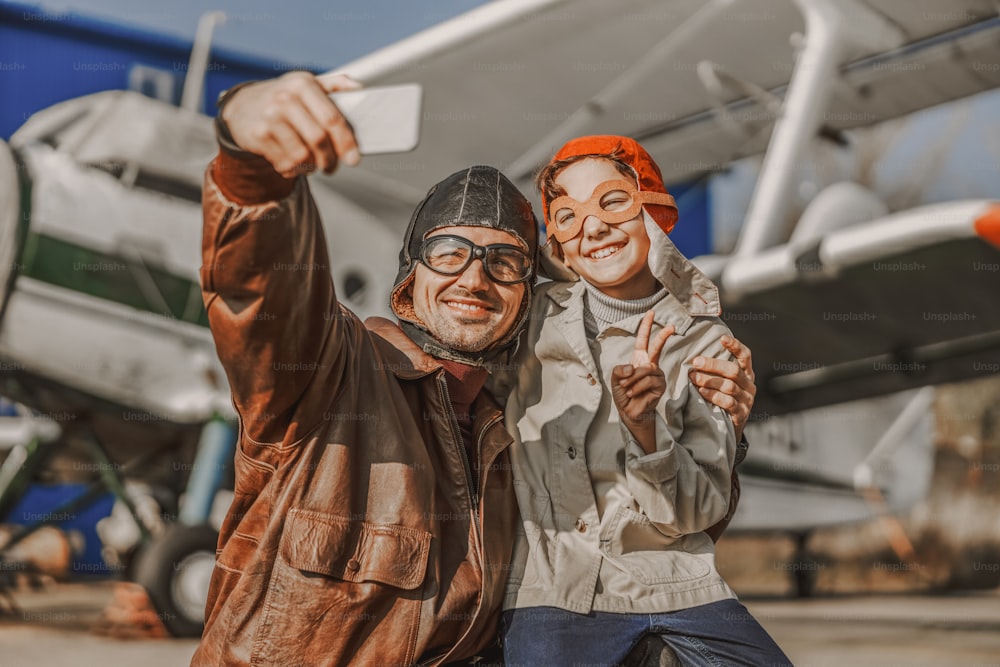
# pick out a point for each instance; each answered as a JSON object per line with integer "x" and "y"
{"x": 333, "y": 583}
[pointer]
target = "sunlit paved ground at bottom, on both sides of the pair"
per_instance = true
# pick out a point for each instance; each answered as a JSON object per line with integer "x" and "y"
{"x": 54, "y": 630}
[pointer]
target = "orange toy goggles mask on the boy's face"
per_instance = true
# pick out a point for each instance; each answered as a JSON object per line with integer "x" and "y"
{"x": 613, "y": 202}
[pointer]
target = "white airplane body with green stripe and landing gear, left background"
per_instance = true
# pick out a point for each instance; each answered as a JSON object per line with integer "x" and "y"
{"x": 104, "y": 334}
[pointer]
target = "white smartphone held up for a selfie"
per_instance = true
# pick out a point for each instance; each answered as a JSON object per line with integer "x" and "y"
{"x": 386, "y": 119}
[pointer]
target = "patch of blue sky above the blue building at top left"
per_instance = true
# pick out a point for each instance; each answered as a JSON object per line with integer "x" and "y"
{"x": 315, "y": 33}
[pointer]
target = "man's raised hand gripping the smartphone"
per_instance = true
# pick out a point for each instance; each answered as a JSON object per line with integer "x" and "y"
{"x": 290, "y": 122}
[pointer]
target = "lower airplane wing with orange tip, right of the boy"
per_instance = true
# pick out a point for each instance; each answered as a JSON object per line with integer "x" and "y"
{"x": 871, "y": 309}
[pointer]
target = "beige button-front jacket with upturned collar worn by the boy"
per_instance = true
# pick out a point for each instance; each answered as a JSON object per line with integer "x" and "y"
{"x": 605, "y": 526}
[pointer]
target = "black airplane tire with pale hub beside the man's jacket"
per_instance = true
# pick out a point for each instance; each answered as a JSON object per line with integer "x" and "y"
{"x": 175, "y": 569}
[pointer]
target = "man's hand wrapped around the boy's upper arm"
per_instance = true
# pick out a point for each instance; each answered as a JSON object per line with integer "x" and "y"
{"x": 728, "y": 384}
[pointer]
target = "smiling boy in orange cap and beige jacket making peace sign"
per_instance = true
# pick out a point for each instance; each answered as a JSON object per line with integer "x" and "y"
{"x": 619, "y": 469}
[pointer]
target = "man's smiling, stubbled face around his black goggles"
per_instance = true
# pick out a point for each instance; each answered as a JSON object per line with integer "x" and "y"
{"x": 467, "y": 311}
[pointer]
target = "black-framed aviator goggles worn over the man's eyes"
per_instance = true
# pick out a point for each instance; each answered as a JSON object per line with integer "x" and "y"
{"x": 451, "y": 255}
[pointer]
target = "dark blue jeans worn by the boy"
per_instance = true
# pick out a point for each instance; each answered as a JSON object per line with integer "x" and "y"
{"x": 719, "y": 633}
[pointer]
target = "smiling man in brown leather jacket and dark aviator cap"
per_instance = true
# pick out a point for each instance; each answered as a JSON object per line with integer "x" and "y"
{"x": 374, "y": 513}
